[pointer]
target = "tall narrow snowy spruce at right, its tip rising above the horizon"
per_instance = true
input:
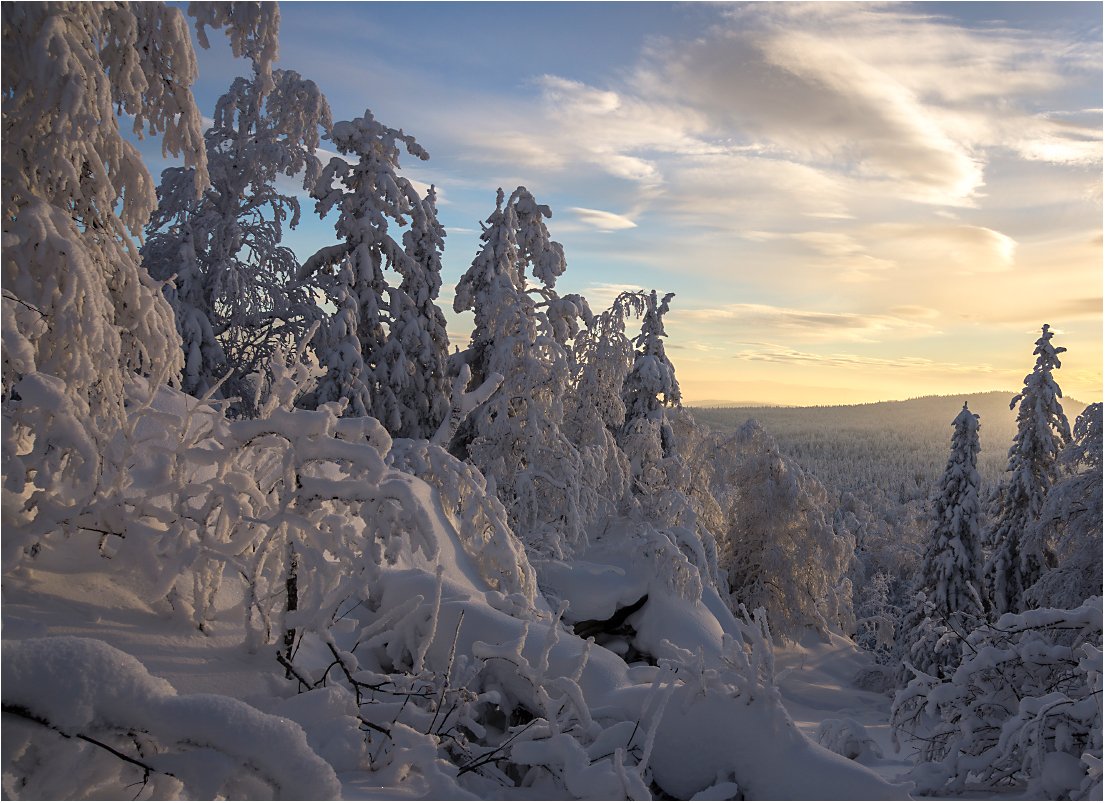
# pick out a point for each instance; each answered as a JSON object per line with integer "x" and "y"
{"x": 1043, "y": 431}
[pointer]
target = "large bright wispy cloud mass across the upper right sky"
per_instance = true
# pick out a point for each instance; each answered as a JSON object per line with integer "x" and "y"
{"x": 827, "y": 99}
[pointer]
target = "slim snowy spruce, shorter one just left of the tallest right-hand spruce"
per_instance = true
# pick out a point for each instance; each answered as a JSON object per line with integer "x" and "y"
{"x": 949, "y": 601}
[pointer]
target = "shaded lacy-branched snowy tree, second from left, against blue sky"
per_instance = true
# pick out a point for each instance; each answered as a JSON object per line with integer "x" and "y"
{"x": 237, "y": 297}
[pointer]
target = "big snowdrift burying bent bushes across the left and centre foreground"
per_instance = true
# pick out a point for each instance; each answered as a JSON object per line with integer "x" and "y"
{"x": 422, "y": 656}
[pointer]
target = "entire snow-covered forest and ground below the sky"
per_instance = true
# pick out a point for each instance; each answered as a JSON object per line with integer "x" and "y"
{"x": 268, "y": 534}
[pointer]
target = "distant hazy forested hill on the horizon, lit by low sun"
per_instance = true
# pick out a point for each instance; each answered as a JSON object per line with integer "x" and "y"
{"x": 898, "y": 447}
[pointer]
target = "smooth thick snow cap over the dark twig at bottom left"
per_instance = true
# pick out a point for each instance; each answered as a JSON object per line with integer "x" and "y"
{"x": 82, "y": 688}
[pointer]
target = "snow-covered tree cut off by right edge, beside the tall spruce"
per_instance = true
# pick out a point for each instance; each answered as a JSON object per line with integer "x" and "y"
{"x": 1071, "y": 522}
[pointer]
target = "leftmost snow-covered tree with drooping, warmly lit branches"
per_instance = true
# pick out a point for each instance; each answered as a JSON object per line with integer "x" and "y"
{"x": 81, "y": 316}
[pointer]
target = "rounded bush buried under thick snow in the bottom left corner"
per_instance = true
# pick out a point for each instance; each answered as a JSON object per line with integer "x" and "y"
{"x": 132, "y": 730}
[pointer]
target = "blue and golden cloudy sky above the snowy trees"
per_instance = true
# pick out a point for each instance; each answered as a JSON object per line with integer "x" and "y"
{"x": 853, "y": 203}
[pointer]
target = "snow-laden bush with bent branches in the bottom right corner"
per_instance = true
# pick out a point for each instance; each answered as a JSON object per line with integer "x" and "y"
{"x": 1020, "y": 716}
